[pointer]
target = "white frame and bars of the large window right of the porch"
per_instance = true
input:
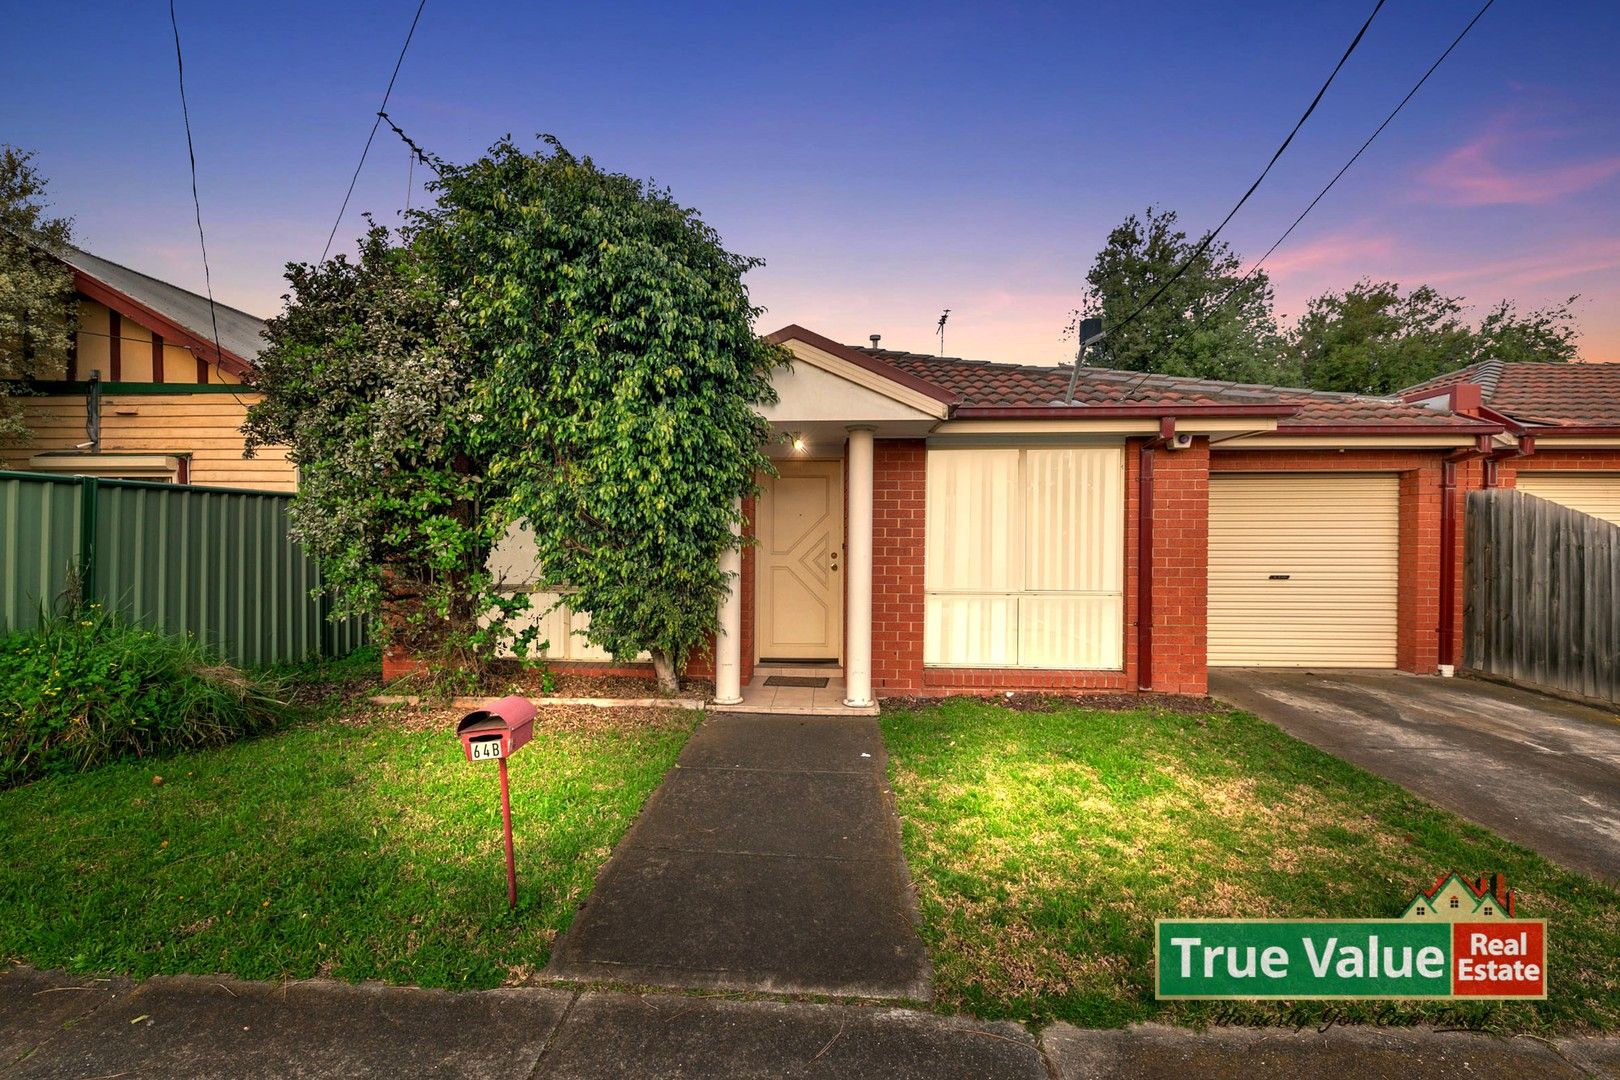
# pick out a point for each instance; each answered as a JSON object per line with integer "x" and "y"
{"x": 1021, "y": 561}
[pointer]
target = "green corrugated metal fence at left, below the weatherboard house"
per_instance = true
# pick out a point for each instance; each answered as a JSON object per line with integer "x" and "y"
{"x": 208, "y": 561}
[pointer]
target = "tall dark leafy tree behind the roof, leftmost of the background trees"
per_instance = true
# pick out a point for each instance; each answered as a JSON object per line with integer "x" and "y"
{"x": 1211, "y": 323}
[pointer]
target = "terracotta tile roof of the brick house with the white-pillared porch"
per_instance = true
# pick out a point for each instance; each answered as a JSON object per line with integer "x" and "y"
{"x": 986, "y": 385}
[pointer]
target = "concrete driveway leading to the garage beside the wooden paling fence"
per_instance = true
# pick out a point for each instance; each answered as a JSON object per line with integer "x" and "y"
{"x": 1540, "y": 772}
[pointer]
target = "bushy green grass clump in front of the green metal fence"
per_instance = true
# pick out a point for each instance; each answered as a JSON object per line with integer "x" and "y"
{"x": 88, "y": 689}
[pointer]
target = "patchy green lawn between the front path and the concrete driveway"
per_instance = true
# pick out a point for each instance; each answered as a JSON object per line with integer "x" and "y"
{"x": 1046, "y": 844}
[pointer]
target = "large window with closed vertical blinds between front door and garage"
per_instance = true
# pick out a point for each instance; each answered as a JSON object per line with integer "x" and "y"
{"x": 1026, "y": 558}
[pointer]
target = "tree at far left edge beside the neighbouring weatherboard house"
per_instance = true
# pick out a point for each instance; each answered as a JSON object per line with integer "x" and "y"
{"x": 38, "y": 313}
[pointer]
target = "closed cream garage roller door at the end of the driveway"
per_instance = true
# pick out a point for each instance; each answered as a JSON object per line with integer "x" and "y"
{"x": 1303, "y": 571}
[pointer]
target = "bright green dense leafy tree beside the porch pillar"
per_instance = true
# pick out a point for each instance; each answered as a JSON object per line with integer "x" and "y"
{"x": 618, "y": 406}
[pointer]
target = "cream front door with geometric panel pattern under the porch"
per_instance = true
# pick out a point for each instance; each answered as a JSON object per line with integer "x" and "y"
{"x": 801, "y": 529}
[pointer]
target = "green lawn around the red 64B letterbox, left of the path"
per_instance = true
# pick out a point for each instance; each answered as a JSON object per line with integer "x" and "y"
{"x": 362, "y": 849}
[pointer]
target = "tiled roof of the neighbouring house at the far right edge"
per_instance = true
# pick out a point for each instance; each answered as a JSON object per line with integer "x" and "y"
{"x": 1558, "y": 396}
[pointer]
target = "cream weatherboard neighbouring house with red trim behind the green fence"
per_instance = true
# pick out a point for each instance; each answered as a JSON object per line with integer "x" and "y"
{"x": 147, "y": 394}
